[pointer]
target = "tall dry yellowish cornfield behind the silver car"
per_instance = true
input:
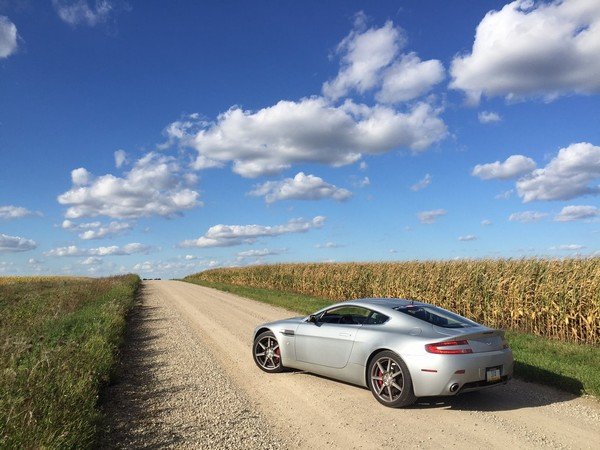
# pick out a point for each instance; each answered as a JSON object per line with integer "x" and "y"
{"x": 558, "y": 299}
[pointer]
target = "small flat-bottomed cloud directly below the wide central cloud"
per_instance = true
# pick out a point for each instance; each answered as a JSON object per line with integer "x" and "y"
{"x": 301, "y": 187}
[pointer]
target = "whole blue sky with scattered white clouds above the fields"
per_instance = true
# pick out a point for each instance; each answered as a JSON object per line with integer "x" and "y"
{"x": 165, "y": 138}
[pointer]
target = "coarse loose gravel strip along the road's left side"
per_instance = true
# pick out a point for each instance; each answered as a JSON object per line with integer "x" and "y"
{"x": 171, "y": 391}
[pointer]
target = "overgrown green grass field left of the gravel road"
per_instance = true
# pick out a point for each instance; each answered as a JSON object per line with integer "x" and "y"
{"x": 59, "y": 339}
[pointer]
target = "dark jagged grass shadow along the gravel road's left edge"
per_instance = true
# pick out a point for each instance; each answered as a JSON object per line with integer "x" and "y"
{"x": 127, "y": 401}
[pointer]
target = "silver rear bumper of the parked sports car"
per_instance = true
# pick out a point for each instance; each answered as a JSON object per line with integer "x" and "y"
{"x": 434, "y": 375}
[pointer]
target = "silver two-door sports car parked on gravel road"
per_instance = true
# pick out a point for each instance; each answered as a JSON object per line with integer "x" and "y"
{"x": 400, "y": 349}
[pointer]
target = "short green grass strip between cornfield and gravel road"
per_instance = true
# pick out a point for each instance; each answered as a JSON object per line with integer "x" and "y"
{"x": 571, "y": 367}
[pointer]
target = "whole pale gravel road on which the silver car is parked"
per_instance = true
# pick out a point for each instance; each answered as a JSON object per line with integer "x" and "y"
{"x": 188, "y": 380}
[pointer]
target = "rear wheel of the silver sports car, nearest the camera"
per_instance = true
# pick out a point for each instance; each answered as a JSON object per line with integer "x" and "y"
{"x": 390, "y": 381}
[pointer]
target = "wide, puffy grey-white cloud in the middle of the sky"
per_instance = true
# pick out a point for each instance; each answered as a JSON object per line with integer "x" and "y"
{"x": 311, "y": 130}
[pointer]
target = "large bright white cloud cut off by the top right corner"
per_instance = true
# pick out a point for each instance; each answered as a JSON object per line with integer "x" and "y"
{"x": 535, "y": 49}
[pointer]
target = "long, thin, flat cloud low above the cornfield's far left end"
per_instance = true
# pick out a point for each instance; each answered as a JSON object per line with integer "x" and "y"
{"x": 232, "y": 235}
